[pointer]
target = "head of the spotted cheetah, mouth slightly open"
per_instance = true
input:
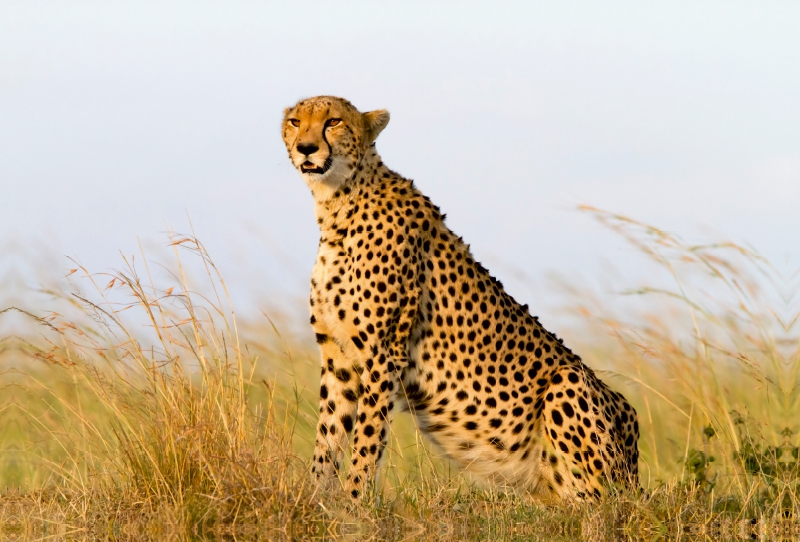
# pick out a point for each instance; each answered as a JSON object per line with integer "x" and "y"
{"x": 326, "y": 138}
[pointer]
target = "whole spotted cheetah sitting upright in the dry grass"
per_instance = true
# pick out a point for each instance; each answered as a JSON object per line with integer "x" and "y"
{"x": 406, "y": 318}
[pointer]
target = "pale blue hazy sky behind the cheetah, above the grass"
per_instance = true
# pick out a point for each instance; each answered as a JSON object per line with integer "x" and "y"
{"x": 117, "y": 117}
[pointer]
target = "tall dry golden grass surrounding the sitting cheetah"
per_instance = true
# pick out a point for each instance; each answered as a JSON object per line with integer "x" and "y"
{"x": 144, "y": 410}
